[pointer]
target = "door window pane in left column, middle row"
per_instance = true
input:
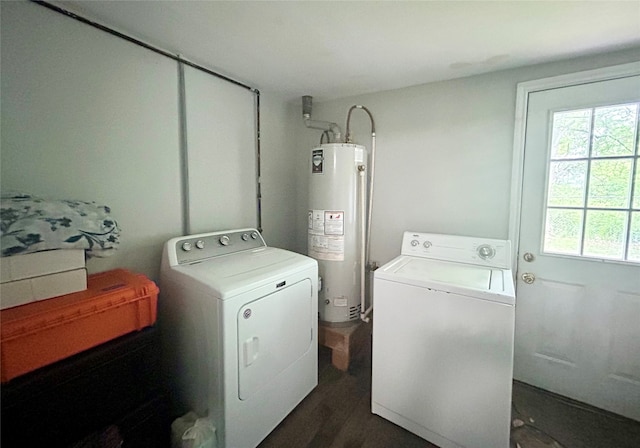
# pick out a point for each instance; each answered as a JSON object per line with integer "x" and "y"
{"x": 567, "y": 181}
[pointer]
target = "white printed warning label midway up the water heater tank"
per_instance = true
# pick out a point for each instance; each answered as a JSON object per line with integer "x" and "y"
{"x": 326, "y": 234}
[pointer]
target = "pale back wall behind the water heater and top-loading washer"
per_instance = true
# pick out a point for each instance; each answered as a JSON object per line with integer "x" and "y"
{"x": 444, "y": 152}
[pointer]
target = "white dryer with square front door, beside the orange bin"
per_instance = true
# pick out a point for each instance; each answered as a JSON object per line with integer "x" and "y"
{"x": 239, "y": 325}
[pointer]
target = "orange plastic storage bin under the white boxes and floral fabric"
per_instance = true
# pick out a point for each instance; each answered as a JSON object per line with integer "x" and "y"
{"x": 36, "y": 334}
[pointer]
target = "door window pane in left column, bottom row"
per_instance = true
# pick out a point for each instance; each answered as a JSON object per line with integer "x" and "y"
{"x": 562, "y": 231}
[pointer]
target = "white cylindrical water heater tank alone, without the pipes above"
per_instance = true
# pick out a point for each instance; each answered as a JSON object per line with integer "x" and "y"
{"x": 337, "y": 203}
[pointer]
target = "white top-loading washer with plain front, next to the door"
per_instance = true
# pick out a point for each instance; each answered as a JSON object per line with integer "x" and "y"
{"x": 444, "y": 313}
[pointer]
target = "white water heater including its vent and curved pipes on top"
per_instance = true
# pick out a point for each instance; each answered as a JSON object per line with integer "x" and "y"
{"x": 339, "y": 230}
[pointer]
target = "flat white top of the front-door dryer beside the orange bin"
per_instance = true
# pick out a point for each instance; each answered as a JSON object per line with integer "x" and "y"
{"x": 239, "y": 272}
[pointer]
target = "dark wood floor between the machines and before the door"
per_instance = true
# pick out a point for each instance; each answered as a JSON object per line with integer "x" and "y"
{"x": 337, "y": 414}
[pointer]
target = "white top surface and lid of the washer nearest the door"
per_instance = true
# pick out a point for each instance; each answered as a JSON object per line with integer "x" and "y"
{"x": 467, "y": 279}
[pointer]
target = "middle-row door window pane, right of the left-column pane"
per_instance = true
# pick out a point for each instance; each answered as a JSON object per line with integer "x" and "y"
{"x": 610, "y": 183}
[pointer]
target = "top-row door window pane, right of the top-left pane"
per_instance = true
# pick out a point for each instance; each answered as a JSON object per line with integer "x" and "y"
{"x": 614, "y": 130}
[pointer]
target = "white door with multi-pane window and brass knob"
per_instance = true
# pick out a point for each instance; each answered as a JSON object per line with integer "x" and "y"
{"x": 578, "y": 273}
